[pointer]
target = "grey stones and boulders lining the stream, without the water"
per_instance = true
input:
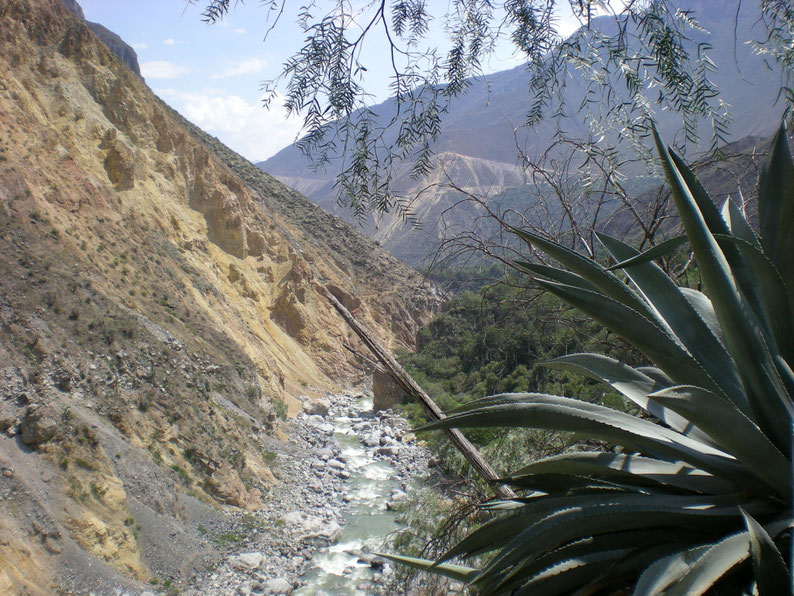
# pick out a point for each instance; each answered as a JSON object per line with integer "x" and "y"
{"x": 303, "y": 513}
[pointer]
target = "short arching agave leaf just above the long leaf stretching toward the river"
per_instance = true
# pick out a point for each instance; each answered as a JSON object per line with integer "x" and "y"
{"x": 633, "y": 384}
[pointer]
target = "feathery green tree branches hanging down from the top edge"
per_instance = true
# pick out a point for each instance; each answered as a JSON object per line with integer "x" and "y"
{"x": 643, "y": 43}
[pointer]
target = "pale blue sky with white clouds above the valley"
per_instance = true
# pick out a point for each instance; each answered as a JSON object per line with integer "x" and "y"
{"x": 213, "y": 74}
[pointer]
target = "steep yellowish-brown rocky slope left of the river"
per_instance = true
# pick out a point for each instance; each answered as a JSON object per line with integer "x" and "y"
{"x": 160, "y": 311}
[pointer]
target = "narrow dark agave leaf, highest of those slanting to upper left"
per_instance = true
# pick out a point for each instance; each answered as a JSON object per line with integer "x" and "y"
{"x": 606, "y": 282}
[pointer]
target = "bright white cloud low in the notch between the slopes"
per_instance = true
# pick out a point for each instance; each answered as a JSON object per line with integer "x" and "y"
{"x": 253, "y": 131}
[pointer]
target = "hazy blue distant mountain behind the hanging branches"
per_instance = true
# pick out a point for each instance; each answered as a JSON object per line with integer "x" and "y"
{"x": 477, "y": 148}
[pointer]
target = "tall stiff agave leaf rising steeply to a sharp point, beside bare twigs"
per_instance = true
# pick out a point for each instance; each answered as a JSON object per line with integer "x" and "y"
{"x": 765, "y": 390}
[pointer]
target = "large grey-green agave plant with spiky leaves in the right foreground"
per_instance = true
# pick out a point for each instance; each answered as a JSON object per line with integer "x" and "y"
{"x": 696, "y": 495}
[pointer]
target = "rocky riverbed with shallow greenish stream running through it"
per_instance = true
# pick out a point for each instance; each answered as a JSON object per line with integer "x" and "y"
{"x": 341, "y": 469}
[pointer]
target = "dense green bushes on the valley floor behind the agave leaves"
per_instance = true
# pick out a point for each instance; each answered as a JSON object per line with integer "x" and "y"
{"x": 492, "y": 342}
